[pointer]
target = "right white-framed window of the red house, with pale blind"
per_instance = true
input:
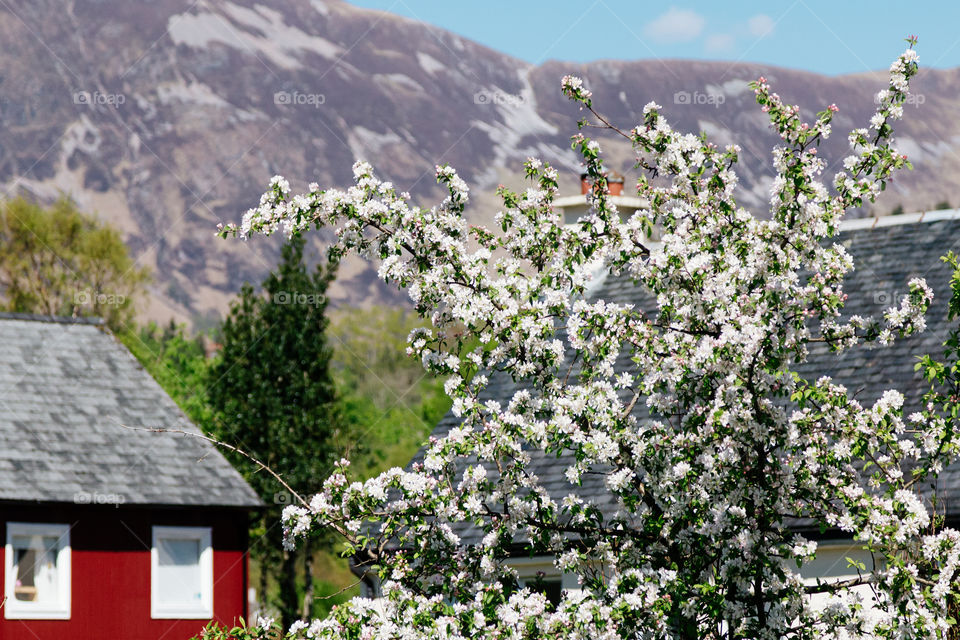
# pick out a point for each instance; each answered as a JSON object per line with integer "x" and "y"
{"x": 181, "y": 573}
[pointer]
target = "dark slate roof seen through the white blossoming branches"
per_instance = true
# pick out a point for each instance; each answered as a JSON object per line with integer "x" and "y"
{"x": 887, "y": 253}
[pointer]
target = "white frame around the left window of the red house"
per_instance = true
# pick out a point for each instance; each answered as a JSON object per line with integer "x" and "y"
{"x": 14, "y": 609}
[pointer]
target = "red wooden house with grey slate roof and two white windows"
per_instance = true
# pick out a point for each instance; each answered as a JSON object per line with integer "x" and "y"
{"x": 107, "y": 531}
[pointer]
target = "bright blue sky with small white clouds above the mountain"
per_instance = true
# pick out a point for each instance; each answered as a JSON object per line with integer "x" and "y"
{"x": 831, "y": 37}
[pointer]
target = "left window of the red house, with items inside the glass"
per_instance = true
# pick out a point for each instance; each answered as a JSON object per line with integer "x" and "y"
{"x": 37, "y": 571}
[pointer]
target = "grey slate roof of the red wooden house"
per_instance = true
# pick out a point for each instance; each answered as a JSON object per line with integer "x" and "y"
{"x": 68, "y": 393}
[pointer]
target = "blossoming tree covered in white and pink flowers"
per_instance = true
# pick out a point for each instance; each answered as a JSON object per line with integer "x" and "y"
{"x": 737, "y": 442}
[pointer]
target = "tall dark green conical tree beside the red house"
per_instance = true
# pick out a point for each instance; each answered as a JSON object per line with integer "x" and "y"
{"x": 272, "y": 395}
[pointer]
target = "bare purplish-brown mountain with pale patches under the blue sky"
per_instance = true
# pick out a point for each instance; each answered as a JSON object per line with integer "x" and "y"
{"x": 167, "y": 117}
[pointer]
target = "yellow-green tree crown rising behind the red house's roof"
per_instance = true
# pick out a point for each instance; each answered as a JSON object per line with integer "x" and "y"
{"x": 59, "y": 261}
